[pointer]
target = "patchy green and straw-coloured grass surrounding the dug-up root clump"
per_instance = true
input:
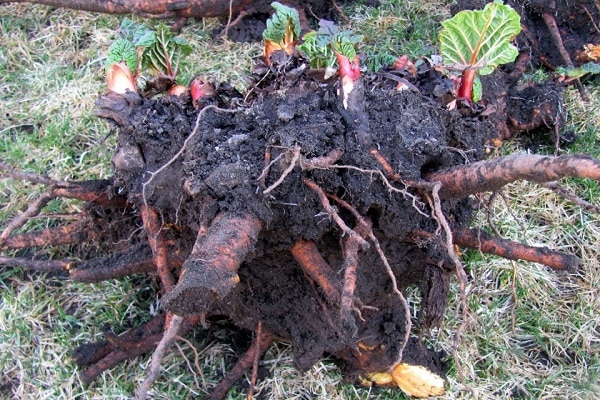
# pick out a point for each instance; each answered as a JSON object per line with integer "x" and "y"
{"x": 532, "y": 333}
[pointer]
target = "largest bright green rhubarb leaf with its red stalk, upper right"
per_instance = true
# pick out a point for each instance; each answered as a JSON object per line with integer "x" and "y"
{"x": 476, "y": 42}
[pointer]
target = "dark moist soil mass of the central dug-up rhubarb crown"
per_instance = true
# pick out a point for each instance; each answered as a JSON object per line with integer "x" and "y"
{"x": 223, "y": 171}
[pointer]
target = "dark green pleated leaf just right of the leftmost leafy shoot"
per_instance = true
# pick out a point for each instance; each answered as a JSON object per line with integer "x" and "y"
{"x": 164, "y": 55}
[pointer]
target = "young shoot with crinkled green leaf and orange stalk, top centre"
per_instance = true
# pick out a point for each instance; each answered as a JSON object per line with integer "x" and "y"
{"x": 283, "y": 30}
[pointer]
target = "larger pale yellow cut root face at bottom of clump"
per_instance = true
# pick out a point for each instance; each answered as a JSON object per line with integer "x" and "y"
{"x": 417, "y": 381}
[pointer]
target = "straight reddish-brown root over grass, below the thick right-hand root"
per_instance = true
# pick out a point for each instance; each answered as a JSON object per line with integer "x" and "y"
{"x": 484, "y": 242}
